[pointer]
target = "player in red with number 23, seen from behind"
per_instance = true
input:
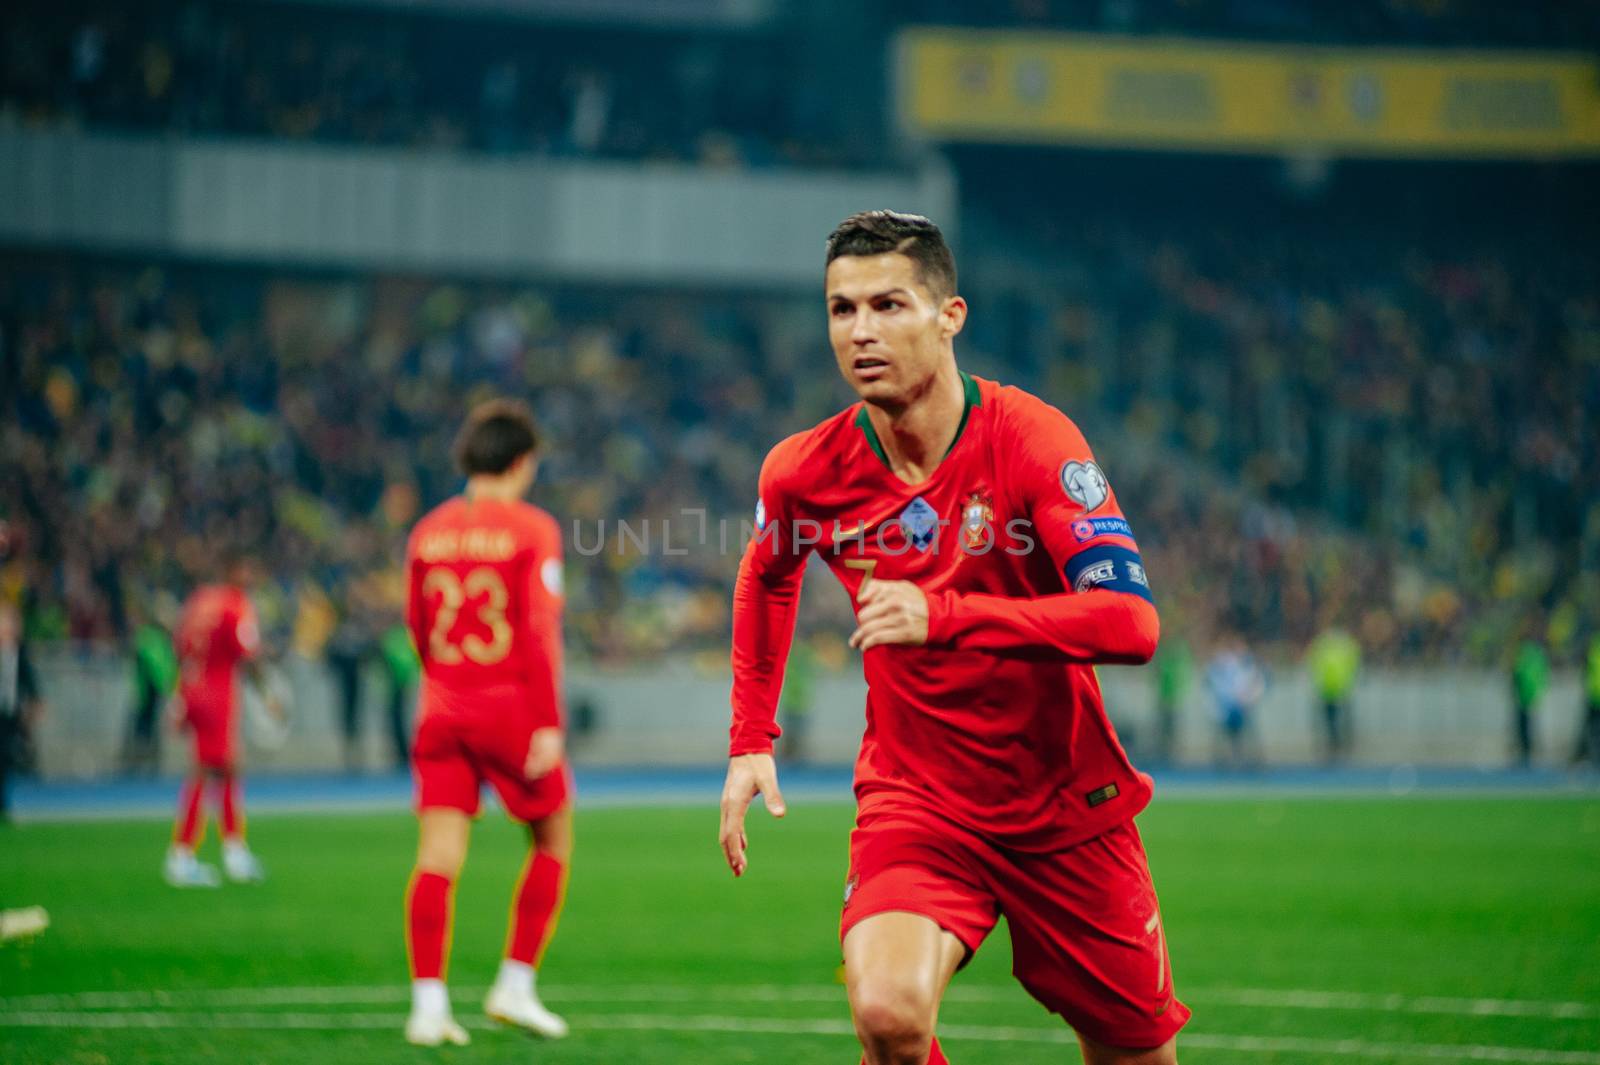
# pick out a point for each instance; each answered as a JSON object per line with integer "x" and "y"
{"x": 486, "y": 610}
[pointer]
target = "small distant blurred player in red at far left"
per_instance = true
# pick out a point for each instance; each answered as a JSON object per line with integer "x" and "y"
{"x": 217, "y": 637}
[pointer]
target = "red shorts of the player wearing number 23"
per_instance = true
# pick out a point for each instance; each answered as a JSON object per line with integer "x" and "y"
{"x": 457, "y": 751}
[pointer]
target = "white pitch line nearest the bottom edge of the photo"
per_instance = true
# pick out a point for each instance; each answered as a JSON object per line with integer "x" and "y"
{"x": 826, "y": 1027}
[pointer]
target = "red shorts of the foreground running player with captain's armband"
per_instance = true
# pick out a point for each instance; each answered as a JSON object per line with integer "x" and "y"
{"x": 1087, "y": 936}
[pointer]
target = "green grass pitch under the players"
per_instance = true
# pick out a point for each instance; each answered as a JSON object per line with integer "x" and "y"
{"x": 1306, "y": 930}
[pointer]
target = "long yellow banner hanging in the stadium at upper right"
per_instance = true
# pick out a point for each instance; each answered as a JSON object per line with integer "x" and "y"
{"x": 1078, "y": 89}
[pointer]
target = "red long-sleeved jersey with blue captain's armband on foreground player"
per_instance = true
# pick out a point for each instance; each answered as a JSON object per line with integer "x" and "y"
{"x": 1031, "y": 575}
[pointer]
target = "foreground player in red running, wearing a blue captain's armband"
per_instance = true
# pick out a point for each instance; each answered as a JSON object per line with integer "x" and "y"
{"x": 991, "y": 568}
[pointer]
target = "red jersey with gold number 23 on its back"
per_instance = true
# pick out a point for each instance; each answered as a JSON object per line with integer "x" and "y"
{"x": 486, "y": 608}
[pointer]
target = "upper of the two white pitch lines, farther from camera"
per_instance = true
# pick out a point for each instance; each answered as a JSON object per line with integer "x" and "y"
{"x": 671, "y": 994}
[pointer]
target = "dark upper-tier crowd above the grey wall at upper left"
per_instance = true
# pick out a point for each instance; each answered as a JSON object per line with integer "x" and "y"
{"x": 433, "y": 81}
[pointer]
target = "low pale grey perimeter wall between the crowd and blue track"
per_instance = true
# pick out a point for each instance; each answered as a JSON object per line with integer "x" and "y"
{"x": 673, "y": 714}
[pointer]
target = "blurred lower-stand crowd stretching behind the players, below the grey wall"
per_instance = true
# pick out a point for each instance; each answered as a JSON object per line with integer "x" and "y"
{"x": 1302, "y": 442}
